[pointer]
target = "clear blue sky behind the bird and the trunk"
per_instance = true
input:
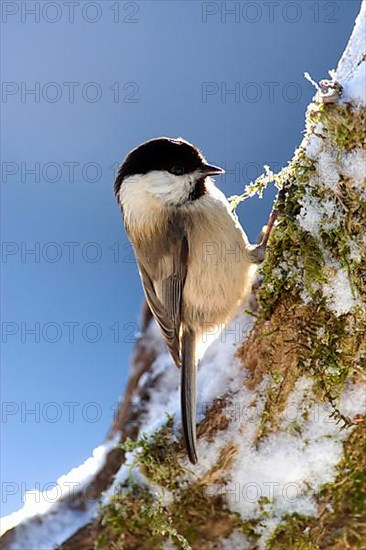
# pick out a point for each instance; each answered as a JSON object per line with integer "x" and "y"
{"x": 83, "y": 83}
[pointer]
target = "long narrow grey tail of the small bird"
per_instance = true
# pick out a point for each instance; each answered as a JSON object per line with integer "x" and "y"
{"x": 188, "y": 393}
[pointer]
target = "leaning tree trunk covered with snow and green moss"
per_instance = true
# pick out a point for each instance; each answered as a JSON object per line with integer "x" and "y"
{"x": 281, "y": 399}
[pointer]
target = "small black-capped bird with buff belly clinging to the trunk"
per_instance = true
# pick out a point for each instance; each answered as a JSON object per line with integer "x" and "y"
{"x": 193, "y": 256}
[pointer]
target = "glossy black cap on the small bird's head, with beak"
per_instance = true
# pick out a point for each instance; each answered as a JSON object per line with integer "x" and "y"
{"x": 173, "y": 155}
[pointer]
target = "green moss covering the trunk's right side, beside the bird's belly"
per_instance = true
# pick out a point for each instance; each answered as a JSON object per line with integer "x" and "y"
{"x": 327, "y": 344}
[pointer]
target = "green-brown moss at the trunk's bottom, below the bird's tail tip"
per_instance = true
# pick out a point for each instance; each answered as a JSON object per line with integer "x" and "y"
{"x": 136, "y": 519}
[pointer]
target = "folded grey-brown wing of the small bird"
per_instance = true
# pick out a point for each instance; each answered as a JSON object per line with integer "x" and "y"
{"x": 163, "y": 284}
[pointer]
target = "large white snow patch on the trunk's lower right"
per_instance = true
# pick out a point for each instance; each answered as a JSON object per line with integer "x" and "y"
{"x": 284, "y": 474}
